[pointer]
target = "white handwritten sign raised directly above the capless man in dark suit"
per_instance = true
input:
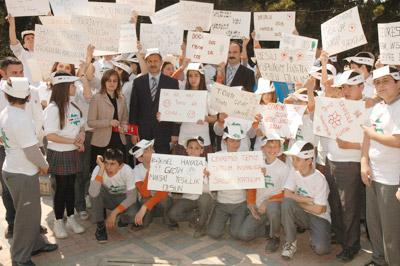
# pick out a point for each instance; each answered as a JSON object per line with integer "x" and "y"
{"x": 234, "y": 24}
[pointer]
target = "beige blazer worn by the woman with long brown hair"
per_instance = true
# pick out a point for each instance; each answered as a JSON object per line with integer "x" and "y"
{"x": 101, "y": 112}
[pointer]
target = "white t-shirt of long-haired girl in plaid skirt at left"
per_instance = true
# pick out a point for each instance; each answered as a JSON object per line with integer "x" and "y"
{"x": 73, "y": 124}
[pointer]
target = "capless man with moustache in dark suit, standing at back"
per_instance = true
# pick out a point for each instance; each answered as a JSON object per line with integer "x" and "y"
{"x": 235, "y": 73}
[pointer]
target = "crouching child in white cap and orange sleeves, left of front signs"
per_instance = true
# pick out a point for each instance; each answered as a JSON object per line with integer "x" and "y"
{"x": 152, "y": 203}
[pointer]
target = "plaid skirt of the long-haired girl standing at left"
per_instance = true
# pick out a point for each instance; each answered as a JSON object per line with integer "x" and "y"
{"x": 64, "y": 163}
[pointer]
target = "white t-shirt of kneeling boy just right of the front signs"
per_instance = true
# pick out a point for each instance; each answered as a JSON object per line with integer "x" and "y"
{"x": 275, "y": 179}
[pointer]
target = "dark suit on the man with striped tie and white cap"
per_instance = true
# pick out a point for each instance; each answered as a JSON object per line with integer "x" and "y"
{"x": 143, "y": 112}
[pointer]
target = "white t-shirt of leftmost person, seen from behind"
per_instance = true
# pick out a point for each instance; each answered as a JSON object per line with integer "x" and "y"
{"x": 17, "y": 132}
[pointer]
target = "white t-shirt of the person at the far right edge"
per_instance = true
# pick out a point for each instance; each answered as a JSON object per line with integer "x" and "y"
{"x": 385, "y": 160}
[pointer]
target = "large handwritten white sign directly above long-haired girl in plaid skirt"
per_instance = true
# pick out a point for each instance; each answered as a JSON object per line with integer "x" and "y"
{"x": 59, "y": 45}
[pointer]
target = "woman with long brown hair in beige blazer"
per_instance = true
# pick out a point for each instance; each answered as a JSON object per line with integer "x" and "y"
{"x": 107, "y": 116}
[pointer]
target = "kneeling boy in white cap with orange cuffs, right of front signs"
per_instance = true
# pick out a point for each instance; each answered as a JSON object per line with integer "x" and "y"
{"x": 265, "y": 203}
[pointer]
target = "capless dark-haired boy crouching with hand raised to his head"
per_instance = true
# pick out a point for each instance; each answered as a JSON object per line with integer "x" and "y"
{"x": 112, "y": 187}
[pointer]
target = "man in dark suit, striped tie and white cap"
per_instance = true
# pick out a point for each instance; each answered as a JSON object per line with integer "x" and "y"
{"x": 144, "y": 103}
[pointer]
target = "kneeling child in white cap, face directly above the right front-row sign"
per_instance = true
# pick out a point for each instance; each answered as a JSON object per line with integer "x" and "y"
{"x": 231, "y": 204}
